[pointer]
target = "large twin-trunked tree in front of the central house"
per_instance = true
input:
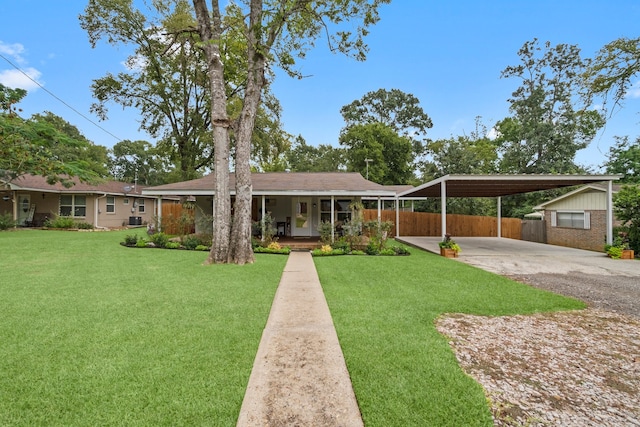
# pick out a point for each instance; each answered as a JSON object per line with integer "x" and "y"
{"x": 276, "y": 33}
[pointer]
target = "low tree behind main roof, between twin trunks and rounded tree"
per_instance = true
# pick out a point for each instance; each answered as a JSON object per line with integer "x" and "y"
{"x": 303, "y": 157}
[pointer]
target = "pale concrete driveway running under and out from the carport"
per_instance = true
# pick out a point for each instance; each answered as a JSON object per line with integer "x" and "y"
{"x": 600, "y": 281}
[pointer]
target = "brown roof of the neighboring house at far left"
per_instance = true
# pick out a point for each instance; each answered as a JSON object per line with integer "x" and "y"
{"x": 39, "y": 183}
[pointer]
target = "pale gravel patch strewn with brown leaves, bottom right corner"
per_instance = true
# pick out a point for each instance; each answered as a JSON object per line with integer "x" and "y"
{"x": 577, "y": 368}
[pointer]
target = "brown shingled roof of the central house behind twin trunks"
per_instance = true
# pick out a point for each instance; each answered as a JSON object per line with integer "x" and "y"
{"x": 283, "y": 183}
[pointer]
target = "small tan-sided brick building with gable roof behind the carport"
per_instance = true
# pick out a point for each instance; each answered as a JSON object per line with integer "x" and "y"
{"x": 578, "y": 219}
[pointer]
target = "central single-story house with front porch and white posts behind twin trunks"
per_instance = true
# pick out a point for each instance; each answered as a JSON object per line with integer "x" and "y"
{"x": 297, "y": 201}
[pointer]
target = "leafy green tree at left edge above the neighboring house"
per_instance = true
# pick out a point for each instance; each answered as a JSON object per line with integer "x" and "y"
{"x": 35, "y": 146}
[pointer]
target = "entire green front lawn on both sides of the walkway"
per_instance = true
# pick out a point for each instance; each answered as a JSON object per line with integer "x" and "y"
{"x": 93, "y": 333}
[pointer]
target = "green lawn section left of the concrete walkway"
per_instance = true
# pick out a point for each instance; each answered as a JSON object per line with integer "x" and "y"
{"x": 94, "y": 333}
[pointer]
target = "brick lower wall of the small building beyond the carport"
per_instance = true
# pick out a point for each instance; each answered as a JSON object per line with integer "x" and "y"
{"x": 592, "y": 239}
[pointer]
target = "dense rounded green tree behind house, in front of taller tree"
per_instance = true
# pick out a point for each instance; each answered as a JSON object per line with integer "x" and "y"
{"x": 377, "y": 151}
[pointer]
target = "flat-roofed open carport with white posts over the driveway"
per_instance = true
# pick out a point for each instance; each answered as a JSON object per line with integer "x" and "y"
{"x": 502, "y": 185}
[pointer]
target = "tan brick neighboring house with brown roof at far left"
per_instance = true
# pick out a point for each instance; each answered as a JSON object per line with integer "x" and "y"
{"x": 31, "y": 200}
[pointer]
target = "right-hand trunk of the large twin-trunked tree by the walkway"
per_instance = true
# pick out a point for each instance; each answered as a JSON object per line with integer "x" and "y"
{"x": 240, "y": 245}
